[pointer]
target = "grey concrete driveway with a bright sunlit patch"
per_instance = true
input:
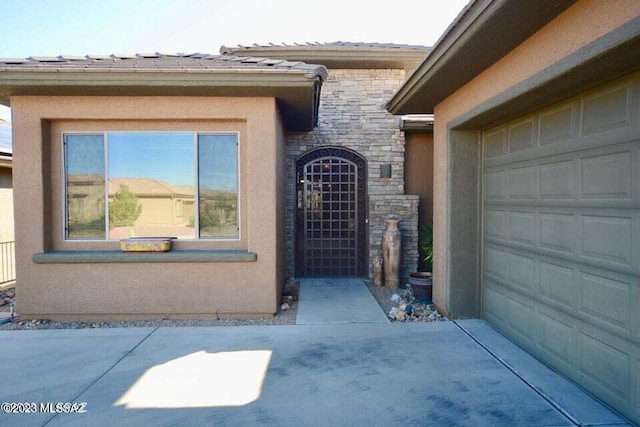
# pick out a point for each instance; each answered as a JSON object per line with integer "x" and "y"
{"x": 376, "y": 374}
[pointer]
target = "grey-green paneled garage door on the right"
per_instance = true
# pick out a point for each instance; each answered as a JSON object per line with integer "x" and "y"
{"x": 561, "y": 238}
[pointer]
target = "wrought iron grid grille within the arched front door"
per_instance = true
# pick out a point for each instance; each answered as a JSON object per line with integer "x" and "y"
{"x": 331, "y": 223}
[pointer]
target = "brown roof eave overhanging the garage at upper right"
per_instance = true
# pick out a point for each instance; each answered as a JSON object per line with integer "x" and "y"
{"x": 481, "y": 35}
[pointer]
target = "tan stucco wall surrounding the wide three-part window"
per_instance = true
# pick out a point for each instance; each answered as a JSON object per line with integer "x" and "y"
{"x": 101, "y": 290}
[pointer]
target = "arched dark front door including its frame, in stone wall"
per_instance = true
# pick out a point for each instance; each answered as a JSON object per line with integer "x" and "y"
{"x": 331, "y": 229}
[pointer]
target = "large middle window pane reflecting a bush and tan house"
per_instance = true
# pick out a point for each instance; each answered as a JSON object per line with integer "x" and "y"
{"x": 151, "y": 184}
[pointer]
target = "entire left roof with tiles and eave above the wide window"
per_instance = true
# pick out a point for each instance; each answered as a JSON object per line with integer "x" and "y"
{"x": 295, "y": 84}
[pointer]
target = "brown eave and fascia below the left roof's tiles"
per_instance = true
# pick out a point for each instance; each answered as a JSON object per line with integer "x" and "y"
{"x": 296, "y": 91}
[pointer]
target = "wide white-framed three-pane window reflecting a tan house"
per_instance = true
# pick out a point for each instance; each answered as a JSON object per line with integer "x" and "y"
{"x": 142, "y": 184}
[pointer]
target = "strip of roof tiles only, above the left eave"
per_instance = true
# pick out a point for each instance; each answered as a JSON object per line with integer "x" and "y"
{"x": 157, "y": 62}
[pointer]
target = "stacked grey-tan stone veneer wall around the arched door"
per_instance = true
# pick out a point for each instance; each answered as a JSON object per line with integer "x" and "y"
{"x": 352, "y": 116}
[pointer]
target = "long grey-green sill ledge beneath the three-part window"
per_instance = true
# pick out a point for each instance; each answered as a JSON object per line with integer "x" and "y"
{"x": 99, "y": 257}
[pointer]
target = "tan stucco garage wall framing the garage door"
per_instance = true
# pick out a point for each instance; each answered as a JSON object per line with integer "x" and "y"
{"x": 579, "y": 25}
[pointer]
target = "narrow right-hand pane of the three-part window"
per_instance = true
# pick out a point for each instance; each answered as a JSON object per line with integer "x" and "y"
{"x": 218, "y": 180}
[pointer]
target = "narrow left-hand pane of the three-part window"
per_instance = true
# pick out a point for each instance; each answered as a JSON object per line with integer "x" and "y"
{"x": 84, "y": 169}
